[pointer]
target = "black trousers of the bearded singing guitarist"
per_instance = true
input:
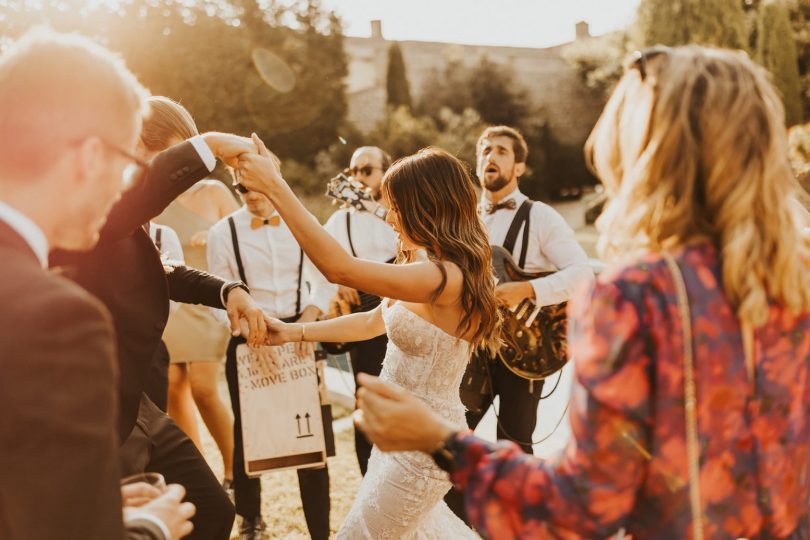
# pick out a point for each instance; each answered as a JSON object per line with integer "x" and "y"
{"x": 517, "y": 417}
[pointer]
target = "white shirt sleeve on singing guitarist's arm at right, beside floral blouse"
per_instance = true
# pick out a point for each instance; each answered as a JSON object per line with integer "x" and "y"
{"x": 560, "y": 247}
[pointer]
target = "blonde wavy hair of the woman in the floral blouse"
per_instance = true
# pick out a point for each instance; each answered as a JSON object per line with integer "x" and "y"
{"x": 692, "y": 144}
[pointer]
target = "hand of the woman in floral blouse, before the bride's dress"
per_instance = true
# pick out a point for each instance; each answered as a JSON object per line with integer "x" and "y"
{"x": 396, "y": 420}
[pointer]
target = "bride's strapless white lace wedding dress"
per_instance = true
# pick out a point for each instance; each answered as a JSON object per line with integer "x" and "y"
{"x": 401, "y": 495}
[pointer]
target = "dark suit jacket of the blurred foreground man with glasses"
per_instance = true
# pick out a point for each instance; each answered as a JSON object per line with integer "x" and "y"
{"x": 58, "y": 455}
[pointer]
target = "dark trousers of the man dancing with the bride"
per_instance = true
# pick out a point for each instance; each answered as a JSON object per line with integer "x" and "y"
{"x": 156, "y": 444}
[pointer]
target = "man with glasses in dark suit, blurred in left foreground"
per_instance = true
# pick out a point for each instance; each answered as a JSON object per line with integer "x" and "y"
{"x": 65, "y": 141}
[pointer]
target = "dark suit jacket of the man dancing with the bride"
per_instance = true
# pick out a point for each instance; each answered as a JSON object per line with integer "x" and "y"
{"x": 125, "y": 272}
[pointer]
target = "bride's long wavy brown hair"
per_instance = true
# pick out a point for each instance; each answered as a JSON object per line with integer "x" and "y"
{"x": 437, "y": 204}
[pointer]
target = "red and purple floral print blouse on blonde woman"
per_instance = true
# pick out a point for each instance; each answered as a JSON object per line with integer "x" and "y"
{"x": 626, "y": 464}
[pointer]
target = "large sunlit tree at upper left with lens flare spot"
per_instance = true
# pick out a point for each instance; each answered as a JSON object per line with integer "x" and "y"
{"x": 276, "y": 68}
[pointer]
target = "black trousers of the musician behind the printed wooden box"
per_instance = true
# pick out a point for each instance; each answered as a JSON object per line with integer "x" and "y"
{"x": 313, "y": 483}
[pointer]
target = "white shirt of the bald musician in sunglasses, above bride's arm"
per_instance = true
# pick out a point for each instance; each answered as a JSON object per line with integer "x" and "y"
{"x": 373, "y": 239}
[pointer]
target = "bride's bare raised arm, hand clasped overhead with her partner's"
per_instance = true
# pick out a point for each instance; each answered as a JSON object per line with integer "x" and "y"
{"x": 414, "y": 282}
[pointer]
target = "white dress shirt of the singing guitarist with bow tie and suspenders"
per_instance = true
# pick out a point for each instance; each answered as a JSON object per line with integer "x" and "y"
{"x": 552, "y": 247}
